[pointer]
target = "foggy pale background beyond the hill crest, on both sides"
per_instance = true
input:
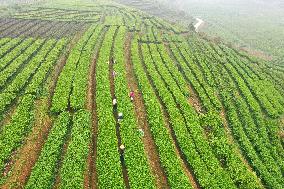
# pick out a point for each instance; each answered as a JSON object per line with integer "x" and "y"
{"x": 254, "y": 25}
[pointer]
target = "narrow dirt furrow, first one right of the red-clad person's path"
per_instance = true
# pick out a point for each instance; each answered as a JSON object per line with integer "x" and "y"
{"x": 185, "y": 165}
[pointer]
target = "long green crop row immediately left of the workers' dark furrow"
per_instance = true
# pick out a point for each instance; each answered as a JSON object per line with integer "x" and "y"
{"x": 108, "y": 163}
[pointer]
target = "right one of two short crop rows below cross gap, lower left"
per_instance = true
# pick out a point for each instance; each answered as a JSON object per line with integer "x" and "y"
{"x": 75, "y": 160}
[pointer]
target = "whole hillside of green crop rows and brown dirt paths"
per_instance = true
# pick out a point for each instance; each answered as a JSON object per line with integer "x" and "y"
{"x": 204, "y": 115}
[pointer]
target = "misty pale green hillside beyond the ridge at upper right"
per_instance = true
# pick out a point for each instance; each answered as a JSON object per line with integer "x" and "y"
{"x": 251, "y": 24}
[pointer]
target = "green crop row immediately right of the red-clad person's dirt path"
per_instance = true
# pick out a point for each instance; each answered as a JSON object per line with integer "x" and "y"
{"x": 165, "y": 144}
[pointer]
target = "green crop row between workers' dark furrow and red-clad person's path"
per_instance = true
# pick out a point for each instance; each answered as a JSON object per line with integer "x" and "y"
{"x": 135, "y": 158}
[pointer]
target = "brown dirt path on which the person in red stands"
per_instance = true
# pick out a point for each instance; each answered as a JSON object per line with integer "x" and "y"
{"x": 140, "y": 111}
